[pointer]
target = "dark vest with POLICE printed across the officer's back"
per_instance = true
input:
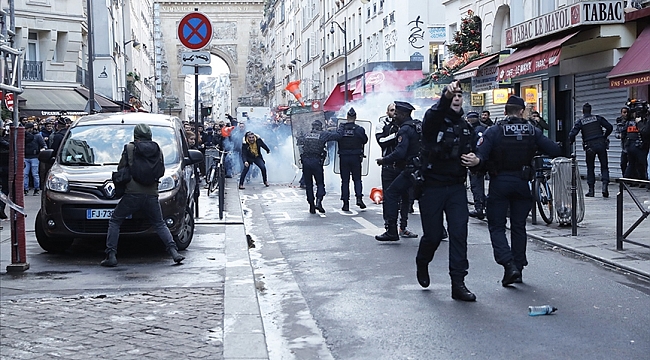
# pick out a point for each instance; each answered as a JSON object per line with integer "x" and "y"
{"x": 515, "y": 148}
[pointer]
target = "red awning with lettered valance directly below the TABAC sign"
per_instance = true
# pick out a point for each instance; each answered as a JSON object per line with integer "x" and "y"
{"x": 532, "y": 59}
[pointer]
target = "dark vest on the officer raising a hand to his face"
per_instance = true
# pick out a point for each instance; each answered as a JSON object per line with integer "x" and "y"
{"x": 442, "y": 153}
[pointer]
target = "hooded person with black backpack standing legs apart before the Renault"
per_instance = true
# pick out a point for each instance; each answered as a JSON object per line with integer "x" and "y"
{"x": 146, "y": 165}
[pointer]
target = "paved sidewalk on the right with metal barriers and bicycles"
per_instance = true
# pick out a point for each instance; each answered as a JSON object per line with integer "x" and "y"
{"x": 596, "y": 234}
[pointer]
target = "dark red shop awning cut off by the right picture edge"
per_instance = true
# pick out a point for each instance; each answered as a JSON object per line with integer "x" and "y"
{"x": 634, "y": 68}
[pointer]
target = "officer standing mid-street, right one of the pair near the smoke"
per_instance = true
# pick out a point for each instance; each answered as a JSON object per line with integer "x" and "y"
{"x": 353, "y": 138}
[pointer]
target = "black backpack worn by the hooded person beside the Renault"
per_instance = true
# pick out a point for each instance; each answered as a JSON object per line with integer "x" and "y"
{"x": 147, "y": 165}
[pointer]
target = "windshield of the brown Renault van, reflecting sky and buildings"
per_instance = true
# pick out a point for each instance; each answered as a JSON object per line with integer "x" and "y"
{"x": 103, "y": 145}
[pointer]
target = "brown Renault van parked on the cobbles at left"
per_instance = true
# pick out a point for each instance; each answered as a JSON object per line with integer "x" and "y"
{"x": 79, "y": 195}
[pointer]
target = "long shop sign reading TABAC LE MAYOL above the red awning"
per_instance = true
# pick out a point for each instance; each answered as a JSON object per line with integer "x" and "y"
{"x": 582, "y": 13}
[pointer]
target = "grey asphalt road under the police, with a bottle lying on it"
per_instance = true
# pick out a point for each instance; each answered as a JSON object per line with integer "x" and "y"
{"x": 329, "y": 290}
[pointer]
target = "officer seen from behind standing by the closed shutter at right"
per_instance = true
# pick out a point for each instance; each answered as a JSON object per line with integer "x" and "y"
{"x": 594, "y": 143}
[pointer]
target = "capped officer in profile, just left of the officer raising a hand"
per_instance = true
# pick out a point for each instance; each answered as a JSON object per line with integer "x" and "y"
{"x": 406, "y": 151}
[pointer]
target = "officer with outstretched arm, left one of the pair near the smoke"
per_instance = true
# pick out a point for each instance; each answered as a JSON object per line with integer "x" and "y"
{"x": 312, "y": 157}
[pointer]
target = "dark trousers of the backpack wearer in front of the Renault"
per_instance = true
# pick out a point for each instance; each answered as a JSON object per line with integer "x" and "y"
{"x": 147, "y": 204}
